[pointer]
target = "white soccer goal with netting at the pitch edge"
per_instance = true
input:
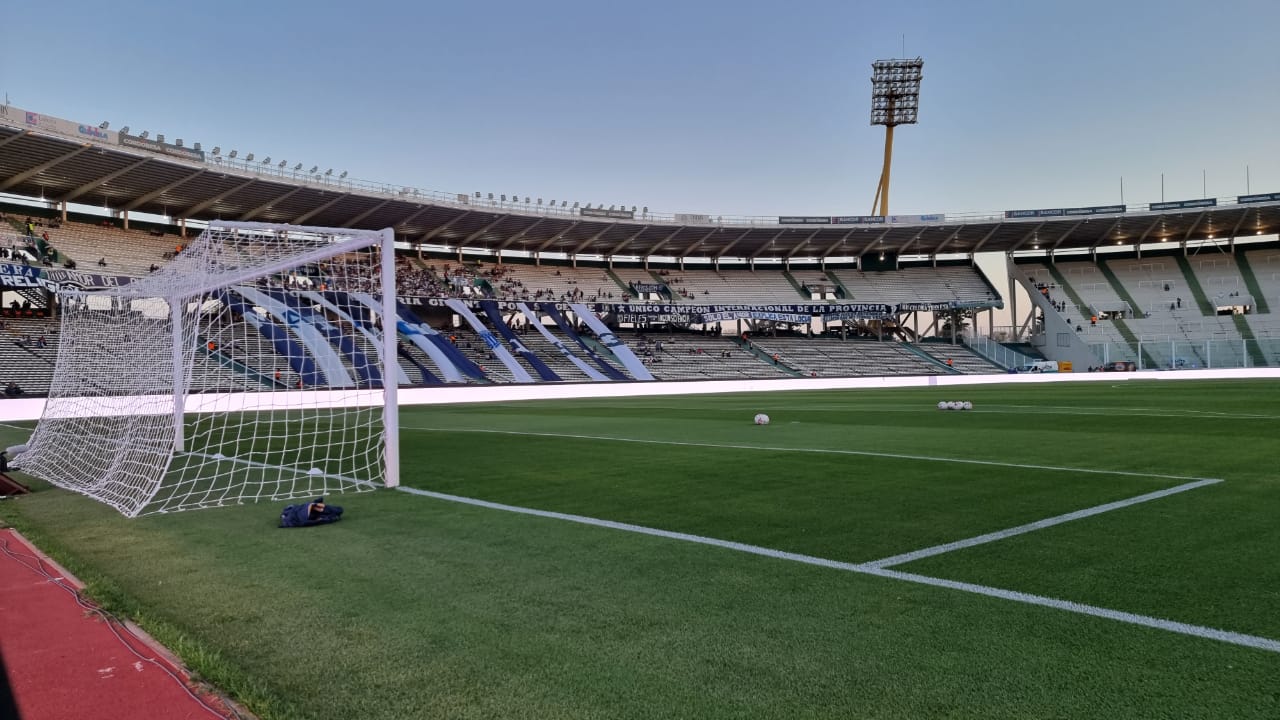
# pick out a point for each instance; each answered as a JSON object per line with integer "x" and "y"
{"x": 252, "y": 367}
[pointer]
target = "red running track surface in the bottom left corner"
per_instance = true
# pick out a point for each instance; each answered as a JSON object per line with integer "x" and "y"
{"x": 67, "y": 662}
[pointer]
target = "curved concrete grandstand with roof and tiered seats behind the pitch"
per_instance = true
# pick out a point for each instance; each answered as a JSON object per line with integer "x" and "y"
{"x": 694, "y": 298}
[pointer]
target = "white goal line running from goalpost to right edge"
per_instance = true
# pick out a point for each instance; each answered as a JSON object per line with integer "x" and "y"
{"x": 1133, "y": 619}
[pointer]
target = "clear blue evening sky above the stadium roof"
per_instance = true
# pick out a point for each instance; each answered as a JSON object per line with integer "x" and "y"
{"x": 749, "y": 108}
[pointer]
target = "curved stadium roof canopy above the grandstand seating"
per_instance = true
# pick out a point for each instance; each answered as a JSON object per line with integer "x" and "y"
{"x": 60, "y": 168}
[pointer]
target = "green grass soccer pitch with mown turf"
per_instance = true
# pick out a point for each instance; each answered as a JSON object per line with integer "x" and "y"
{"x": 422, "y": 608}
